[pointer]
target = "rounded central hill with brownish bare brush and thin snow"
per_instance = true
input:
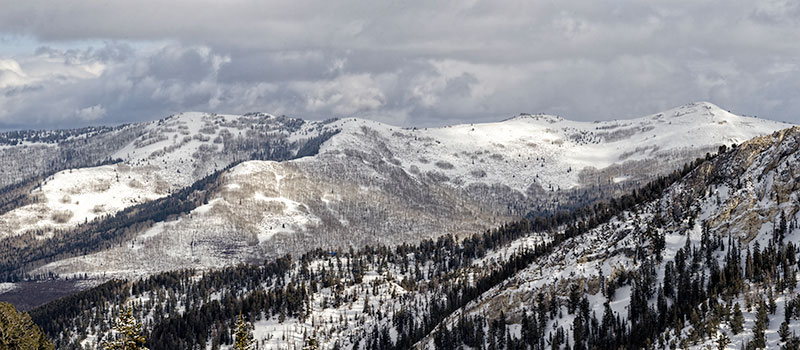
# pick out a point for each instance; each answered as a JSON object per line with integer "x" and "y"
{"x": 265, "y": 209}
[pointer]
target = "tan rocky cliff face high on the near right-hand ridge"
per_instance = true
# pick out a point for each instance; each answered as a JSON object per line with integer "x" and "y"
{"x": 746, "y": 190}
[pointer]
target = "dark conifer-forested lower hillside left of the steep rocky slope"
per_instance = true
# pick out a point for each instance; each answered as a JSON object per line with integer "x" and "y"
{"x": 341, "y": 298}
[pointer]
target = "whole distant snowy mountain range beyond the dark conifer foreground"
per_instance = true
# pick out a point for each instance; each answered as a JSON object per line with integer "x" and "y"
{"x": 352, "y": 182}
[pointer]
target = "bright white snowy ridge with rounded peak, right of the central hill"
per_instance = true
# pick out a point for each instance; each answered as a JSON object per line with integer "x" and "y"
{"x": 553, "y": 152}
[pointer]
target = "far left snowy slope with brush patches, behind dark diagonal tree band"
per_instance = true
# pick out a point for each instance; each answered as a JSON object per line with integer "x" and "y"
{"x": 168, "y": 155}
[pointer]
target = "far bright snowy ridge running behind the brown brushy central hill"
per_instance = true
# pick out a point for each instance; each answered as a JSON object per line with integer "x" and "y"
{"x": 523, "y": 156}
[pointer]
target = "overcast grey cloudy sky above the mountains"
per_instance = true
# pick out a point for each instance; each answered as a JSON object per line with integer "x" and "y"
{"x": 72, "y": 63}
